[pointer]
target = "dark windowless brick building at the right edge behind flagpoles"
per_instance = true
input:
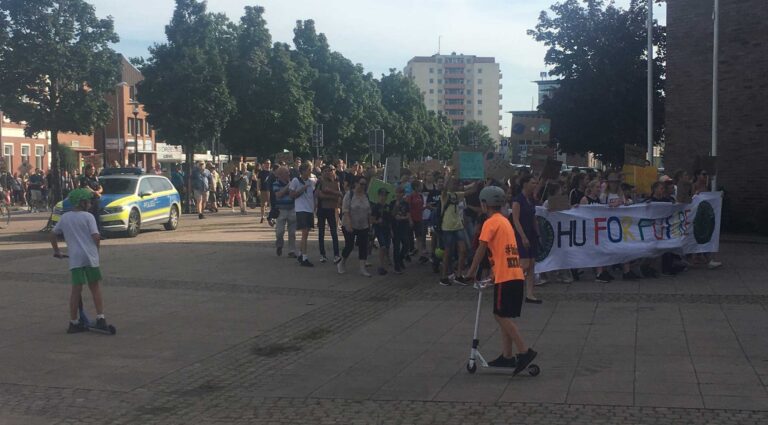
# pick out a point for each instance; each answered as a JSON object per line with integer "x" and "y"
{"x": 743, "y": 109}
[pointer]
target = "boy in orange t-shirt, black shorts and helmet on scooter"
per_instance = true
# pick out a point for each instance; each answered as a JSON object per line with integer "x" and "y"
{"x": 509, "y": 288}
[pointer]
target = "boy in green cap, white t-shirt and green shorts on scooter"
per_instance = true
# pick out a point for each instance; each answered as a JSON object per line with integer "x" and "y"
{"x": 82, "y": 236}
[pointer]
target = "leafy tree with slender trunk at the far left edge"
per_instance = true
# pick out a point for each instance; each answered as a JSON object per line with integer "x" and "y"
{"x": 55, "y": 68}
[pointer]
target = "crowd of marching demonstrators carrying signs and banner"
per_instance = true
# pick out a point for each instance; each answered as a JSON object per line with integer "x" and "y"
{"x": 426, "y": 218}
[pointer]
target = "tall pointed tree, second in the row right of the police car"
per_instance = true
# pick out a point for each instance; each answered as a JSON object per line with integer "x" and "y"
{"x": 274, "y": 111}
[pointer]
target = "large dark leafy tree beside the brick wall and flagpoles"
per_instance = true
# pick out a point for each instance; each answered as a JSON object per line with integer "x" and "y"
{"x": 599, "y": 53}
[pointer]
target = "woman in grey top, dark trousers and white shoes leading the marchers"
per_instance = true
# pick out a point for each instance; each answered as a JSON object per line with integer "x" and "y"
{"x": 356, "y": 210}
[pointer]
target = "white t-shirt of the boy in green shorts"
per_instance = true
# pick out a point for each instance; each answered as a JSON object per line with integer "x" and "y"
{"x": 78, "y": 228}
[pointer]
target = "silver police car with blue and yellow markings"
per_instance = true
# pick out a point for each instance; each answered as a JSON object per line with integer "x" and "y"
{"x": 131, "y": 200}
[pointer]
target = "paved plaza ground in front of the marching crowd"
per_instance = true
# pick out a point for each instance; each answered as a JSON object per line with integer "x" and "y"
{"x": 213, "y": 328}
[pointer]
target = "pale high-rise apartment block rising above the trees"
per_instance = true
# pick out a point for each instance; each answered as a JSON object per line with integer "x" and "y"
{"x": 463, "y": 87}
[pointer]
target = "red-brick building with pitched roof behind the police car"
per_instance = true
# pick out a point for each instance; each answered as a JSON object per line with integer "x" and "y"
{"x": 118, "y": 138}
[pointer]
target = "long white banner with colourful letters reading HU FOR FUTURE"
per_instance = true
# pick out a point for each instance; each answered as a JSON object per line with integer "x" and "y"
{"x": 597, "y": 235}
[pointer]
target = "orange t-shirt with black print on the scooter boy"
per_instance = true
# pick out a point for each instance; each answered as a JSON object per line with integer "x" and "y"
{"x": 505, "y": 261}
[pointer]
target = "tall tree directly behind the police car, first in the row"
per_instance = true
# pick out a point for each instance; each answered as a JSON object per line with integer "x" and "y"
{"x": 185, "y": 88}
